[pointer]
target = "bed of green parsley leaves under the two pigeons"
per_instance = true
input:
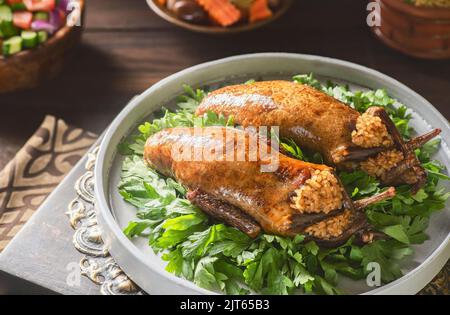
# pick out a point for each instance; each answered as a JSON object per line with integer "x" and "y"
{"x": 218, "y": 257}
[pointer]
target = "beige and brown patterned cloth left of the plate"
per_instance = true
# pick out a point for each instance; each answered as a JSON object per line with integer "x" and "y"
{"x": 36, "y": 170}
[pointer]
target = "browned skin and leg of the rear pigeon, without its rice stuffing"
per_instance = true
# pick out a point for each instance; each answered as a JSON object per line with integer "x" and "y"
{"x": 309, "y": 117}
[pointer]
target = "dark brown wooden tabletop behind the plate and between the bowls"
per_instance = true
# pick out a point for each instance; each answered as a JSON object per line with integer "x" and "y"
{"x": 126, "y": 48}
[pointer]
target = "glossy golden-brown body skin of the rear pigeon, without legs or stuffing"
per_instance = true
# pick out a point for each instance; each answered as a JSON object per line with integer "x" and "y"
{"x": 308, "y": 116}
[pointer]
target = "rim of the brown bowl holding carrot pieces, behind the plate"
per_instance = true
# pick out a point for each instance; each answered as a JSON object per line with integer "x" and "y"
{"x": 167, "y": 15}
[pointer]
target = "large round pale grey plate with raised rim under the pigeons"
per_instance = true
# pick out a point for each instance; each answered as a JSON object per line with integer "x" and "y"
{"x": 138, "y": 260}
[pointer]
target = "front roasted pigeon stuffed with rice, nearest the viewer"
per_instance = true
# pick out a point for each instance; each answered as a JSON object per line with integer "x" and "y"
{"x": 295, "y": 198}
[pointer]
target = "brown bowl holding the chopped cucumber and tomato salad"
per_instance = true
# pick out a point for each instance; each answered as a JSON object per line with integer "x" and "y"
{"x": 29, "y": 68}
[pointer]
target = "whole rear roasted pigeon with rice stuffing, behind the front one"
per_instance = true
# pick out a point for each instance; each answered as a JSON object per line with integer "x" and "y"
{"x": 317, "y": 121}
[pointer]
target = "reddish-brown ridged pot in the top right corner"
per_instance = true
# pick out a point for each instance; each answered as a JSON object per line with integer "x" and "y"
{"x": 415, "y": 31}
